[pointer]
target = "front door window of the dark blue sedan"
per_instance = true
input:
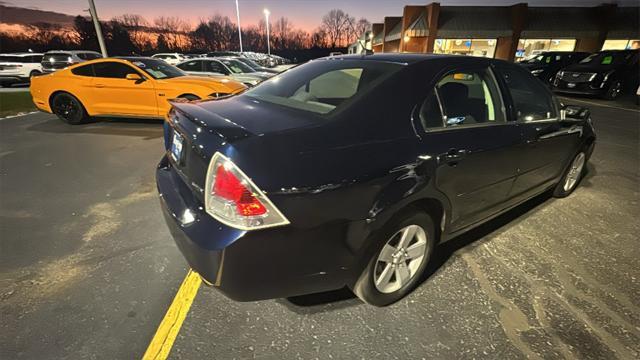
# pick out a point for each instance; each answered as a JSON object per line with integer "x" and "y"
{"x": 532, "y": 101}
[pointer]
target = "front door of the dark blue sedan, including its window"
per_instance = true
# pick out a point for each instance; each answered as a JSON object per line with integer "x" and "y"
{"x": 547, "y": 142}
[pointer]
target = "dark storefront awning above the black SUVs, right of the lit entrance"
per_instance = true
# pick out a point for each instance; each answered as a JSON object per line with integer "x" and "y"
{"x": 560, "y": 22}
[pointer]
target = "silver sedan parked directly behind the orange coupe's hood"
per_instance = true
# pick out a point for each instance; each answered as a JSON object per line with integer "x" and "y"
{"x": 224, "y": 66}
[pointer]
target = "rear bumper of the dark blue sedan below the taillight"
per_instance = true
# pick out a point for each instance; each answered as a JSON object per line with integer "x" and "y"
{"x": 252, "y": 265}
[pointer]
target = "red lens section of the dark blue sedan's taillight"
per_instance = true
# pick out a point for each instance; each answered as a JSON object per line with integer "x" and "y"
{"x": 229, "y": 187}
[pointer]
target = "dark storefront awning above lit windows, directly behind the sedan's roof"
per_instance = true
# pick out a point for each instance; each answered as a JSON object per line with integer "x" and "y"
{"x": 477, "y": 22}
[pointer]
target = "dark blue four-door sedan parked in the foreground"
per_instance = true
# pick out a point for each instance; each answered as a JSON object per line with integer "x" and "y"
{"x": 349, "y": 170}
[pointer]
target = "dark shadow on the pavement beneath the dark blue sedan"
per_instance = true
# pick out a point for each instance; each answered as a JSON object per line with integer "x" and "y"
{"x": 343, "y": 298}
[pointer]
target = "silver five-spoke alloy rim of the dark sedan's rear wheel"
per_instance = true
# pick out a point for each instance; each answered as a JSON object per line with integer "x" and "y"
{"x": 400, "y": 259}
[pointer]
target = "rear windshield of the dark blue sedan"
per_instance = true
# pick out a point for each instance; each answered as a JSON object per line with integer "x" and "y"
{"x": 322, "y": 86}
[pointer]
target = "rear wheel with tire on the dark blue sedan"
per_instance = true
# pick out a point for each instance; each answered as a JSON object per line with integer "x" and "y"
{"x": 396, "y": 268}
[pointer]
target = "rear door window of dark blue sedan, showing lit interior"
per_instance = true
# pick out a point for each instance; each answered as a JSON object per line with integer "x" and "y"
{"x": 463, "y": 97}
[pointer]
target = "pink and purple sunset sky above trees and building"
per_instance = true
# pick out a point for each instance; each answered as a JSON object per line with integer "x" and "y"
{"x": 305, "y": 14}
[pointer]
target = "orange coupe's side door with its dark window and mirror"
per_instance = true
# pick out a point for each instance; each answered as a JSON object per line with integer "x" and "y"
{"x": 113, "y": 94}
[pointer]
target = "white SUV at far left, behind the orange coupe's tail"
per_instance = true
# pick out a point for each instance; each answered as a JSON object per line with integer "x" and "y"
{"x": 19, "y": 67}
